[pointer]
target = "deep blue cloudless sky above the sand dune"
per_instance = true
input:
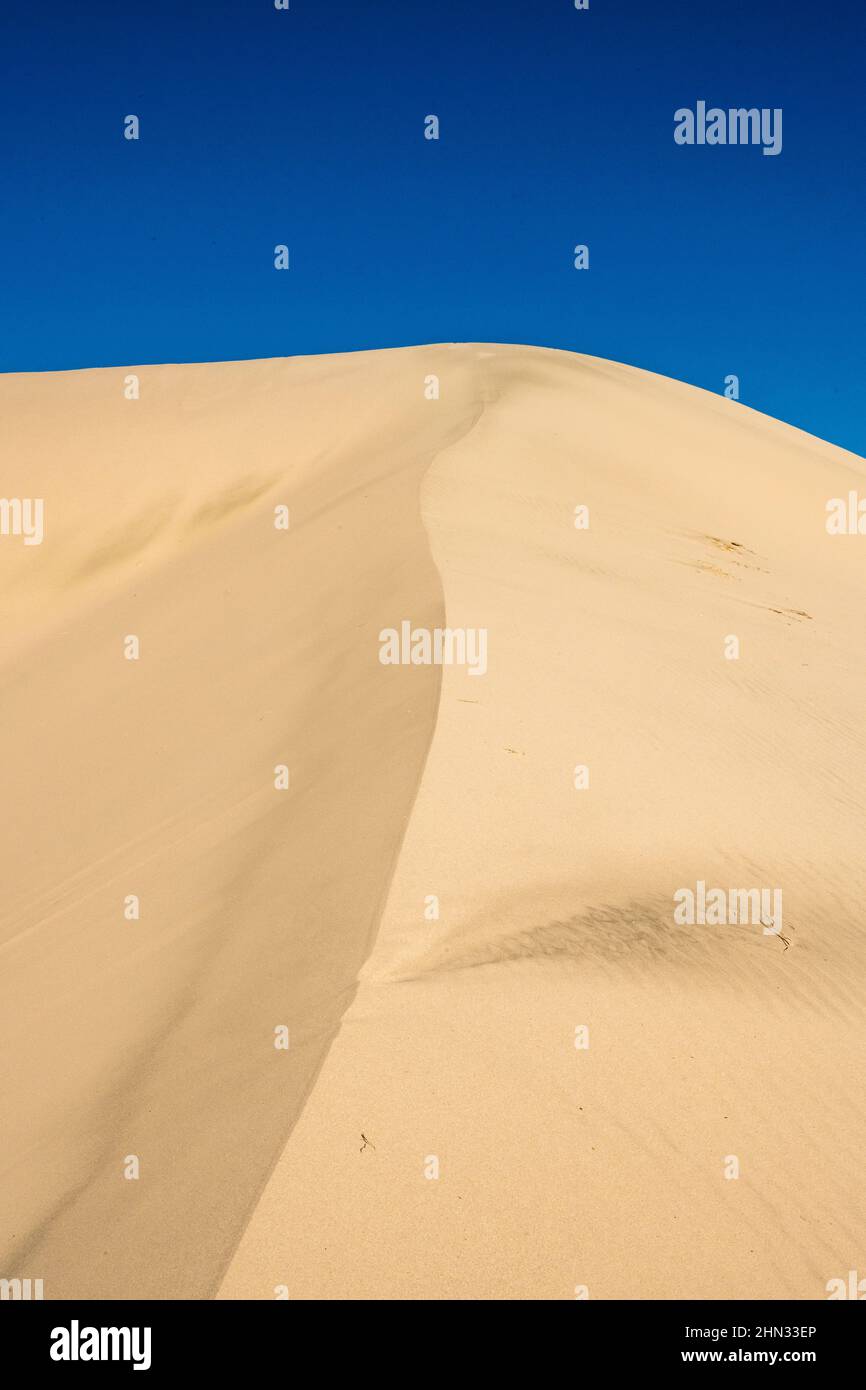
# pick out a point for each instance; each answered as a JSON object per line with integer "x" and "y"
{"x": 557, "y": 127}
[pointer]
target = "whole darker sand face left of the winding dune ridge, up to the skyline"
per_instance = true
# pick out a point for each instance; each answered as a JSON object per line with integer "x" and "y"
{"x": 152, "y": 1040}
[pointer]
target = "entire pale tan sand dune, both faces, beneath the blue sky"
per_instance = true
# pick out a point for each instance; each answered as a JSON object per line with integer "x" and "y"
{"x": 543, "y": 1085}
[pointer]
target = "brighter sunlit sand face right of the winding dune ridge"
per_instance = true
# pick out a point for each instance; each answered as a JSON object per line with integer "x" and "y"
{"x": 554, "y": 1089}
